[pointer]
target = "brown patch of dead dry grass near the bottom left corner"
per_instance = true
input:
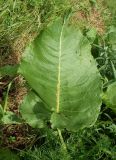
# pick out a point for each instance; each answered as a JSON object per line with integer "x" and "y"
{"x": 18, "y": 136}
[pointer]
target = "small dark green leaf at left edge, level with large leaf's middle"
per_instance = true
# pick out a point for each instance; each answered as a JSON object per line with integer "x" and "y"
{"x": 8, "y": 70}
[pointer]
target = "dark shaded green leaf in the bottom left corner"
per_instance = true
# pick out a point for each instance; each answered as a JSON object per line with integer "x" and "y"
{"x": 6, "y": 154}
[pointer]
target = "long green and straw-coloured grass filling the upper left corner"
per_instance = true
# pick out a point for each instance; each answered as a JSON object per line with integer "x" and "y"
{"x": 21, "y": 21}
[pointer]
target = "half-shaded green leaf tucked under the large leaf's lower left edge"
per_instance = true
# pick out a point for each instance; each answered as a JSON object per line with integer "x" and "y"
{"x": 33, "y": 111}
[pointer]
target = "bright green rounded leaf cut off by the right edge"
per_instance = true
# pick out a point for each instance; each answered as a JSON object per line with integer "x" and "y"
{"x": 109, "y": 97}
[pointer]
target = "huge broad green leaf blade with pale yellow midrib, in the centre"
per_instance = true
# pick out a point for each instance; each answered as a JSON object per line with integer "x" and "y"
{"x": 59, "y": 66}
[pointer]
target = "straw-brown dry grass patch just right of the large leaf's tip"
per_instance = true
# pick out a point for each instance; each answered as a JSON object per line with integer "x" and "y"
{"x": 88, "y": 16}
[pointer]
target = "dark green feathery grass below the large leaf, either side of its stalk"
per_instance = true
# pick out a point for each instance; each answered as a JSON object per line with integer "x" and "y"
{"x": 90, "y": 144}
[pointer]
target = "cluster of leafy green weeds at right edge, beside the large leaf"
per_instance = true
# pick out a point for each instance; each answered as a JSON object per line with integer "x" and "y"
{"x": 104, "y": 50}
